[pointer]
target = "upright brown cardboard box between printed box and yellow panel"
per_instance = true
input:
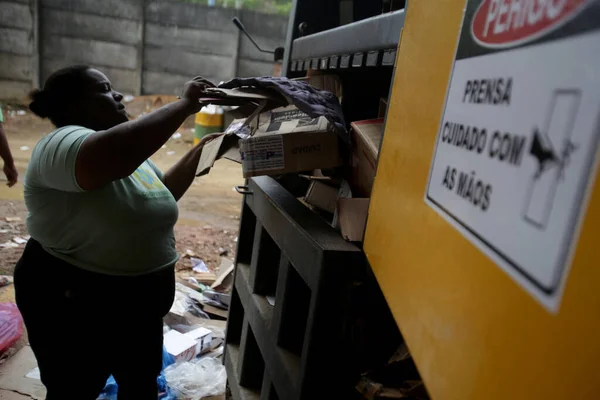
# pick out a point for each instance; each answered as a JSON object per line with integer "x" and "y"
{"x": 366, "y": 140}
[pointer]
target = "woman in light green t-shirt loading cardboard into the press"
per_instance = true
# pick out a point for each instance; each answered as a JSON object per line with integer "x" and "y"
{"x": 97, "y": 276}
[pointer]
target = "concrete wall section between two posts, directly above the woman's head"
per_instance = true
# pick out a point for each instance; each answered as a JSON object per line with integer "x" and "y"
{"x": 106, "y": 34}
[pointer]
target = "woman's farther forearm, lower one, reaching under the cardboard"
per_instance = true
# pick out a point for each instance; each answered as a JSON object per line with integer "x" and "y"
{"x": 180, "y": 176}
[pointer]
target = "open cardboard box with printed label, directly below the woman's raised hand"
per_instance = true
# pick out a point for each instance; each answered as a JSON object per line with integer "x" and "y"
{"x": 279, "y": 141}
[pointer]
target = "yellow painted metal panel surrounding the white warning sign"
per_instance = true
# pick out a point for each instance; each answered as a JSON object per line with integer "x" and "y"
{"x": 474, "y": 333}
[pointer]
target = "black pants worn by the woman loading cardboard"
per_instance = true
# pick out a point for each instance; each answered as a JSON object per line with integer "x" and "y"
{"x": 85, "y": 326}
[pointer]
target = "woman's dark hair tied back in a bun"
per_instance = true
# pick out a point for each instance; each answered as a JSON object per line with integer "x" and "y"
{"x": 61, "y": 88}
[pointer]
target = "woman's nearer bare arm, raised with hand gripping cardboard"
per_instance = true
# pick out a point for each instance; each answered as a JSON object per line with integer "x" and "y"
{"x": 116, "y": 153}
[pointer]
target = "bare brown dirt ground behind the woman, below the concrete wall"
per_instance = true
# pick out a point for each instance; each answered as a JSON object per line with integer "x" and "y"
{"x": 209, "y": 212}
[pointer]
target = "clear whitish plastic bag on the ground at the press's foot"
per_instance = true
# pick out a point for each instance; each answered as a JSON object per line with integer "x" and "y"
{"x": 196, "y": 379}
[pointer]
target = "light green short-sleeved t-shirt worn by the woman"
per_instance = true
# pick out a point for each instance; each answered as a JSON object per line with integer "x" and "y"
{"x": 124, "y": 228}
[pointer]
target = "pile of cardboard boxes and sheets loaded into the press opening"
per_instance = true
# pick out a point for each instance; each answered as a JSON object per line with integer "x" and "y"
{"x": 271, "y": 137}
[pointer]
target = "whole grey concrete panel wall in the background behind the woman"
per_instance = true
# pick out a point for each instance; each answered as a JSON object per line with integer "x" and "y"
{"x": 144, "y": 46}
